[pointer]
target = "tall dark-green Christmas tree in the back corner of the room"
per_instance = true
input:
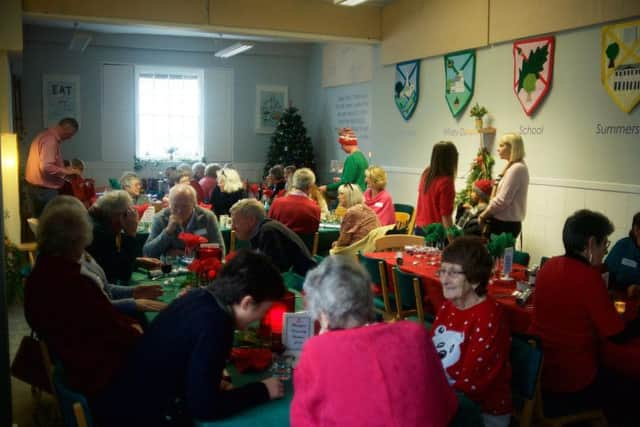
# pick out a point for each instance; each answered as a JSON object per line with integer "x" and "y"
{"x": 290, "y": 144}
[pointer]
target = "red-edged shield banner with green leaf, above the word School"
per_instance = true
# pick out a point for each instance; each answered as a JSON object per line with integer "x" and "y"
{"x": 532, "y": 71}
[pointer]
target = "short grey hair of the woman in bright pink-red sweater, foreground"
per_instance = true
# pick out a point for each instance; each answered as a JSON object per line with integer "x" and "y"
{"x": 341, "y": 289}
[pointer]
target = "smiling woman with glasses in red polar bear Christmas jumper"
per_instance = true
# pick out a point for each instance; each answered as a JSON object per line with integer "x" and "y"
{"x": 471, "y": 332}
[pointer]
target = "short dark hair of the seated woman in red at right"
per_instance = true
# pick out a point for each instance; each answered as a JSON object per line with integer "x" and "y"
{"x": 582, "y": 225}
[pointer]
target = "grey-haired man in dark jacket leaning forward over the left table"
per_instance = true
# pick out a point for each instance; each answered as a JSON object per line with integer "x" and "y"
{"x": 272, "y": 238}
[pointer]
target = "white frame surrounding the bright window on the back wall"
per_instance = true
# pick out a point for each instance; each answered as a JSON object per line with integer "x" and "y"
{"x": 150, "y": 69}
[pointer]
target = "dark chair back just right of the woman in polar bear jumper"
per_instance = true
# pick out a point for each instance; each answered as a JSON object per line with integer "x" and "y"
{"x": 526, "y": 365}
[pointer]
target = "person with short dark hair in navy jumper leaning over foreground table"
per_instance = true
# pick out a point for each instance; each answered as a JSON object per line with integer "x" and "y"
{"x": 176, "y": 369}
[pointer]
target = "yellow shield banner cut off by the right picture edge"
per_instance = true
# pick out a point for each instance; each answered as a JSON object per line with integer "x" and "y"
{"x": 620, "y": 63}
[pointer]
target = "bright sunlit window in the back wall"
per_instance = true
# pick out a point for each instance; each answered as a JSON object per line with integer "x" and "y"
{"x": 169, "y": 113}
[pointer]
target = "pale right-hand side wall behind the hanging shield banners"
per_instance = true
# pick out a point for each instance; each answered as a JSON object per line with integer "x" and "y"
{"x": 571, "y": 166}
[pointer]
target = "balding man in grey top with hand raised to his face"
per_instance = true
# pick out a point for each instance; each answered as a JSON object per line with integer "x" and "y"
{"x": 182, "y": 215}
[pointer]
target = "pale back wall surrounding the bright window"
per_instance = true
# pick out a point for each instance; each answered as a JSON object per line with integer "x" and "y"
{"x": 269, "y": 63}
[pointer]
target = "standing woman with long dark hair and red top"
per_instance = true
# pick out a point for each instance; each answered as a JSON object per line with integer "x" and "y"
{"x": 436, "y": 192}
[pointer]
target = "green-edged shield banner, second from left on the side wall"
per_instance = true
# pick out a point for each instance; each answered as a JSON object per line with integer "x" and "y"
{"x": 459, "y": 75}
